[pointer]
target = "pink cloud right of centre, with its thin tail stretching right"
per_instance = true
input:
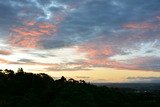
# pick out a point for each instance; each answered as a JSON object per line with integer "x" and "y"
{"x": 99, "y": 56}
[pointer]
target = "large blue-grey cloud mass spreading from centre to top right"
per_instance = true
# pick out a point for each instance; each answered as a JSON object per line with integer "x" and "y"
{"x": 79, "y": 25}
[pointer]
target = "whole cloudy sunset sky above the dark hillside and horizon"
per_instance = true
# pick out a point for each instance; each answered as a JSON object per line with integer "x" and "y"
{"x": 93, "y": 40}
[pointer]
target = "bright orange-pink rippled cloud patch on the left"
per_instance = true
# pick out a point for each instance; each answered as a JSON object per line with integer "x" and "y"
{"x": 30, "y": 34}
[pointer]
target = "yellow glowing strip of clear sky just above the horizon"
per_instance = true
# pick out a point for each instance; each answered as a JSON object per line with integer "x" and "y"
{"x": 104, "y": 75}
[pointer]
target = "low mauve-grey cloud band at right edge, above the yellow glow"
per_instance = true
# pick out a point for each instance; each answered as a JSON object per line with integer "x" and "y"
{"x": 139, "y": 63}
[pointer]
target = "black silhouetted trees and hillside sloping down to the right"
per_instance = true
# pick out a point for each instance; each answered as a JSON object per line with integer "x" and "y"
{"x": 23, "y": 89}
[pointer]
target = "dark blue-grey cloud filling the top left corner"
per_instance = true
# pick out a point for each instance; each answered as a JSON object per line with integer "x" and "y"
{"x": 14, "y": 12}
